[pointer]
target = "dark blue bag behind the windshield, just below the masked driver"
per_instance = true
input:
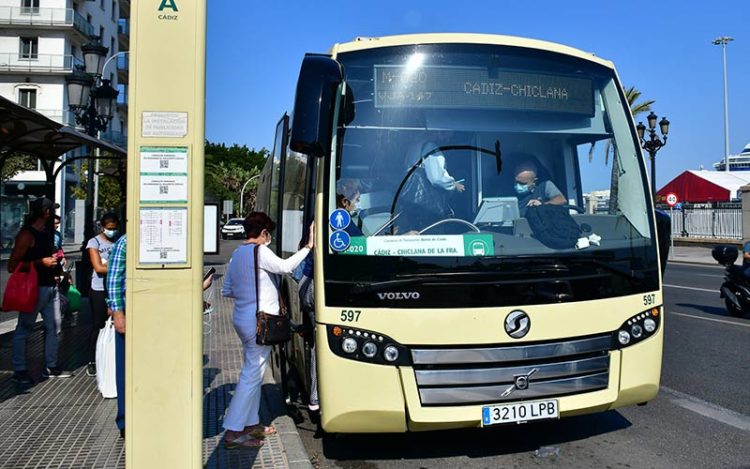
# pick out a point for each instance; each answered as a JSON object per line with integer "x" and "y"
{"x": 553, "y": 226}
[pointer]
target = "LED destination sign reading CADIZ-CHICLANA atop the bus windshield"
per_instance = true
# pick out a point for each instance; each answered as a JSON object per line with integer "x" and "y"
{"x": 473, "y": 88}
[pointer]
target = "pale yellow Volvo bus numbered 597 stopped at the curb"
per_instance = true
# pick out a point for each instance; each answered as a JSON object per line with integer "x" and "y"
{"x": 487, "y": 249}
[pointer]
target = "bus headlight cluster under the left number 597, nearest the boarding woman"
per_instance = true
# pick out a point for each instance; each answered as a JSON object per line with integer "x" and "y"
{"x": 366, "y": 346}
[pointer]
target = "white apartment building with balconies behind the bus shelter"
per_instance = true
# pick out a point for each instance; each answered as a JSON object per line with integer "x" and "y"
{"x": 40, "y": 45}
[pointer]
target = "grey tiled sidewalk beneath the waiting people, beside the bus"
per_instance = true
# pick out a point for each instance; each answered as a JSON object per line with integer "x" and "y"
{"x": 66, "y": 423}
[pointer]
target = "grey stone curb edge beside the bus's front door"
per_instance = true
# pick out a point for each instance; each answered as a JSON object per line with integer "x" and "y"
{"x": 291, "y": 442}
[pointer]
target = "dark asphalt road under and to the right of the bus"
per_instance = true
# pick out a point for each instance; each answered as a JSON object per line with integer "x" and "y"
{"x": 701, "y": 418}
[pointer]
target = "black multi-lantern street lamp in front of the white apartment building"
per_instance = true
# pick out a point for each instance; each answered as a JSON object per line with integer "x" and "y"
{"x": 90, "y": 98}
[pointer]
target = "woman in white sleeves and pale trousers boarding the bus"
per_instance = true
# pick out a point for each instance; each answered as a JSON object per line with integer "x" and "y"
{"x": 242, "y": 420}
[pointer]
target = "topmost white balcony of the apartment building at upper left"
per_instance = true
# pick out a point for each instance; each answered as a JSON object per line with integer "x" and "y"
{"x": 46, "y": 18}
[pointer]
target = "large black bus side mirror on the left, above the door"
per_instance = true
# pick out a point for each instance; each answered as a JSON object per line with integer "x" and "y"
{"x": 312, "y": 121}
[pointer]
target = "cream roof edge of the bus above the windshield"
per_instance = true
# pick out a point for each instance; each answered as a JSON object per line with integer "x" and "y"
{"x": 361, "y": 43}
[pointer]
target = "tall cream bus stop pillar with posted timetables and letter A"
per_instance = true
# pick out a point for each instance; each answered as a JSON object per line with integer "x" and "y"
{"x": 164, "y": 301}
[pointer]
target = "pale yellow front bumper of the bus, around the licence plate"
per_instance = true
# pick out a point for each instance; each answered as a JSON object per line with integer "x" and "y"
{"x": 359, "y": 397}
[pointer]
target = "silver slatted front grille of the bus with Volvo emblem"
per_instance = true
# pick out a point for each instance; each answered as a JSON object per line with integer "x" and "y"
{"x": 489, "y": 374}
